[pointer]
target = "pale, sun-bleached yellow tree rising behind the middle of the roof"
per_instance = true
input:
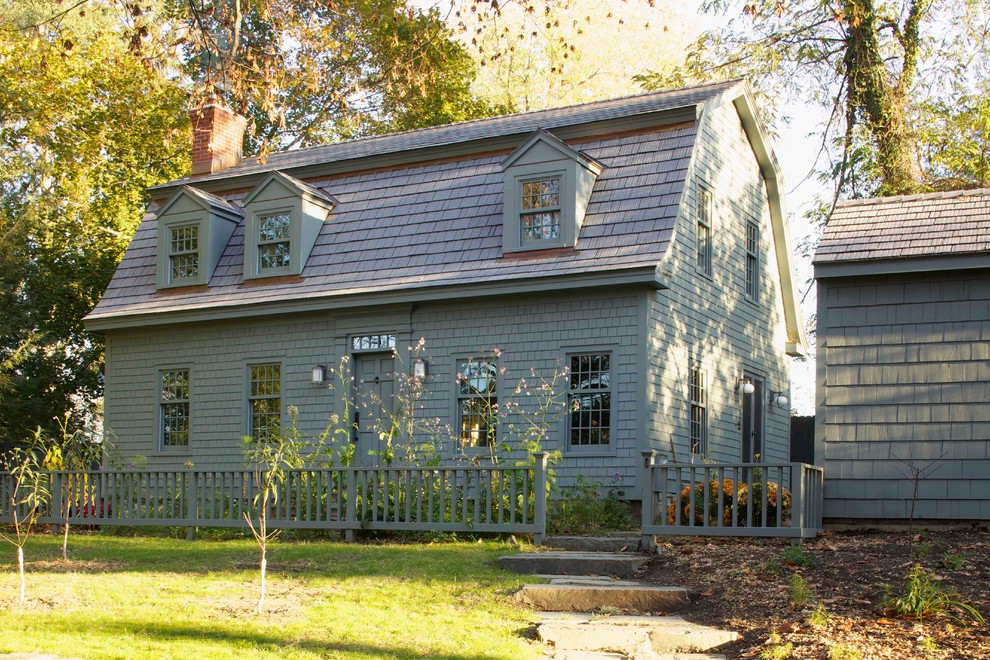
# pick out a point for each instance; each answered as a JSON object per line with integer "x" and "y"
{"x": 535, "y": 56}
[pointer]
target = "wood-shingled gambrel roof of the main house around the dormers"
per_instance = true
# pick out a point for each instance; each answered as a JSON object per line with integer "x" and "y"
{"x": 418, "y": 215}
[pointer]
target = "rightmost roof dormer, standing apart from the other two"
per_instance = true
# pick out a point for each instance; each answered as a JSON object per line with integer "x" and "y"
{"x": 547, "y": 189}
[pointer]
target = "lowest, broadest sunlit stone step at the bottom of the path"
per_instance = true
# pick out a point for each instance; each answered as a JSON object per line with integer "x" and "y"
{"x": 632, "y": 636}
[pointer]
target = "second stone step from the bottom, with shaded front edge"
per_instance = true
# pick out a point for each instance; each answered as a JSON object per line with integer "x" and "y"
{"x": 589, "y": 598}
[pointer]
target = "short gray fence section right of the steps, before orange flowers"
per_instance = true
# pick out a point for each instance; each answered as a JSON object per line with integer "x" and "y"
{"x": 731, "y": 499}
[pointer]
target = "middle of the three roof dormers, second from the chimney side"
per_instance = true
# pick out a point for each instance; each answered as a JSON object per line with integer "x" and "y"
{"x": 284, "y": 218}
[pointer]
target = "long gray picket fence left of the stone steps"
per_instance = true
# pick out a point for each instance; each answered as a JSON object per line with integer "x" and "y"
{"x": 455, "y": 499}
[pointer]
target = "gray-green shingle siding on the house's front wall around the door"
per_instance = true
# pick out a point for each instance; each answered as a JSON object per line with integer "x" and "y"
{"x": 532, "y": 333}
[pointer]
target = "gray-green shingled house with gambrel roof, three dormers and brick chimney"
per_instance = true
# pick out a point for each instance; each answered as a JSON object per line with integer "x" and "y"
{"x": 640, "y": 242}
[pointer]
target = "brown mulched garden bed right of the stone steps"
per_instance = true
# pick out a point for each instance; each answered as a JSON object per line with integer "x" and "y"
{"x": 748, "y": 586}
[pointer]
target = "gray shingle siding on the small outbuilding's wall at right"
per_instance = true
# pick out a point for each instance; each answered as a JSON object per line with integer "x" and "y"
{"x": 906, "y": 386}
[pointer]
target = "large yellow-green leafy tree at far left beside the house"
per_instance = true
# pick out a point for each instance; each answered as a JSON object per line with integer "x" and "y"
{"x": 85, "y": 127}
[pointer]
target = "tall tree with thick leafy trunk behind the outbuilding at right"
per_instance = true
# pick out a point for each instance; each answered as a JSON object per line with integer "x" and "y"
{"x": 871, "y": 63}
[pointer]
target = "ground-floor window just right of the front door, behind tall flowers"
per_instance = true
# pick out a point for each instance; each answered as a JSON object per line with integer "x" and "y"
{"x": 477, "y": 402}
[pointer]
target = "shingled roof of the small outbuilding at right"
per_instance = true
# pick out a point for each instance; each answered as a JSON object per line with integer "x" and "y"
{"x": 907, "y": 233}
